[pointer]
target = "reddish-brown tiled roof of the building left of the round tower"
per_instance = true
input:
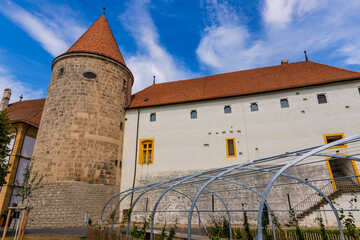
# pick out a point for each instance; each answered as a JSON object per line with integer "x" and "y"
{"x": 26, "y": 111}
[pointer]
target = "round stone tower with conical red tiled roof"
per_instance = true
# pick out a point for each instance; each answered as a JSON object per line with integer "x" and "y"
{"x": 79, "y": 143}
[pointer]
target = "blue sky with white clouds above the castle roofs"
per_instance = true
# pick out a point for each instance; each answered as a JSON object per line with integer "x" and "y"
{"x": 177, "y": 39}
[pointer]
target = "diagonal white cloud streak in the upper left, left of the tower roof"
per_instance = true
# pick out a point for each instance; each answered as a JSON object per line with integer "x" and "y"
{"x": 54, "y": 33}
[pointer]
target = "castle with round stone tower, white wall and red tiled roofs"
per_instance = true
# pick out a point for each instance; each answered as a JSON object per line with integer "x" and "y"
{"x": 94, "y": 138}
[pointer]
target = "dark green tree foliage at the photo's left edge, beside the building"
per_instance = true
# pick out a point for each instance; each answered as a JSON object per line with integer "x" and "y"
{"x": 5, "y": 139}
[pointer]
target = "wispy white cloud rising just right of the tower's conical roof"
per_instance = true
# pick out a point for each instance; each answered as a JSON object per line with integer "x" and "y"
{"x": 151, "y": 59}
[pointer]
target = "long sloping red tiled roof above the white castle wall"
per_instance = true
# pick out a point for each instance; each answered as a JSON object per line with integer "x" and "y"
{"x": 252, "y": 81}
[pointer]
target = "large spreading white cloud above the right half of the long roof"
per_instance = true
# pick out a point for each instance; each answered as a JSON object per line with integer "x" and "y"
{"x": 288, "y": 28}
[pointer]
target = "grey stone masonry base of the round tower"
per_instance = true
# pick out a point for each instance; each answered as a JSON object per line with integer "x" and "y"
{"x": 58, "y": 205}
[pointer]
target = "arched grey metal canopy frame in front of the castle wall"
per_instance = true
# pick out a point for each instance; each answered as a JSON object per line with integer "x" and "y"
{"x": 277, "y": 165}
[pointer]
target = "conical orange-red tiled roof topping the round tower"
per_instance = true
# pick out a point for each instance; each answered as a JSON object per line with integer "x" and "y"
{"x": 98, "y": 39}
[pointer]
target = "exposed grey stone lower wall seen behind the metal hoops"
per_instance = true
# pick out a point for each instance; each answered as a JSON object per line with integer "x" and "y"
{"x": 234, "y": 196}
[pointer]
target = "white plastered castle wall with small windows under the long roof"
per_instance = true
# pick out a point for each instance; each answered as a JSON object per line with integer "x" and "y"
{"x": 183, "y": 145}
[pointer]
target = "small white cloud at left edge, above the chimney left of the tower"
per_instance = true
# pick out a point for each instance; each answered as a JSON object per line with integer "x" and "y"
{"x": 8, "y": 80}
